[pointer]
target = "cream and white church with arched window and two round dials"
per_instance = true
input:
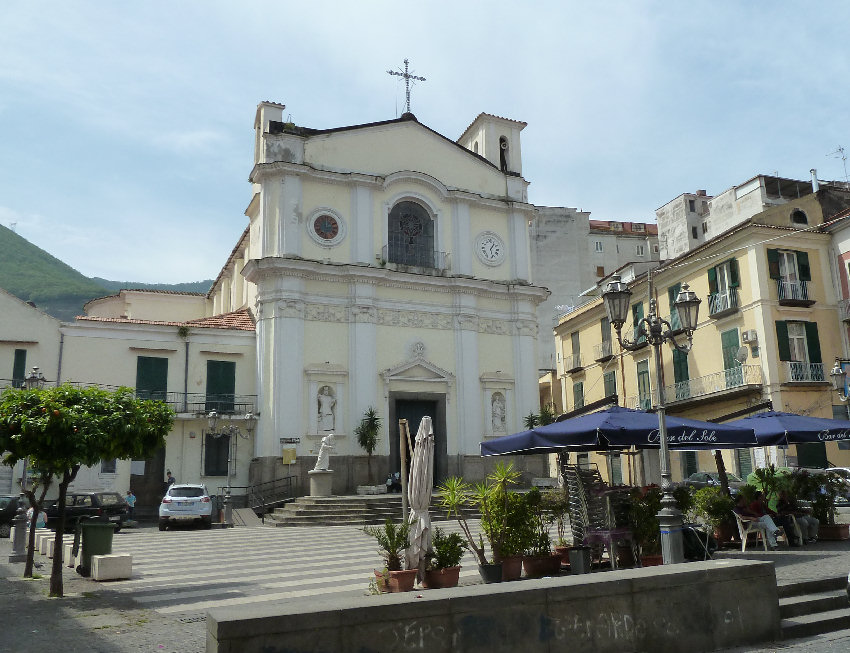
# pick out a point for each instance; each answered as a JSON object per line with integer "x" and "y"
{"x": 388, "y": 267}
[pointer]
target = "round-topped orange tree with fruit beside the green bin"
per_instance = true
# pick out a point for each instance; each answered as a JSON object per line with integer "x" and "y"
{"x": 63, "y": 428}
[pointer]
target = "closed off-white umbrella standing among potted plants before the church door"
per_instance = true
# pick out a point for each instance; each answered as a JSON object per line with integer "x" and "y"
{"x": 419, "y": 496}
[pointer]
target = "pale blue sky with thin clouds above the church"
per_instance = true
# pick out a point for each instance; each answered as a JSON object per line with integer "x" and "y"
{"x": 126, "y": 129}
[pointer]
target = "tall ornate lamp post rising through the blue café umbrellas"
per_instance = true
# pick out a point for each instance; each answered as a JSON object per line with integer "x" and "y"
{"x": 656, "y": 331}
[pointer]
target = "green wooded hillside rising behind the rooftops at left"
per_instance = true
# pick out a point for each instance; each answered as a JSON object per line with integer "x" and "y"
{"x": 31, "y": 274}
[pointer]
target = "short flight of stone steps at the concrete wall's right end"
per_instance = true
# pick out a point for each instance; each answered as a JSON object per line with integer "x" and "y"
{"x": 813, "y": 607}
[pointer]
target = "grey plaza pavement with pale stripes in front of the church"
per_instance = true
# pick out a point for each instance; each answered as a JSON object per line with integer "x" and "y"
{"x": 179, "y": 575}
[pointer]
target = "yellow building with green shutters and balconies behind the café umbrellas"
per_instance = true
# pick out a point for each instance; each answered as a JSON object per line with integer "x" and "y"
{"x": 768, "y": 332}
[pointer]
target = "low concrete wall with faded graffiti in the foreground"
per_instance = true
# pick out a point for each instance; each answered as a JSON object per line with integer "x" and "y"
{"x": 690, "y": 607}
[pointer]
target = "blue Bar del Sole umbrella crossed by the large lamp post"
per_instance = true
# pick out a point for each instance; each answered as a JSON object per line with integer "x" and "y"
{"x": 620, "y": 428}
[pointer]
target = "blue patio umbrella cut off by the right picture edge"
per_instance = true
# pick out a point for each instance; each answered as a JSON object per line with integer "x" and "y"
{"x": 778, "y": 428}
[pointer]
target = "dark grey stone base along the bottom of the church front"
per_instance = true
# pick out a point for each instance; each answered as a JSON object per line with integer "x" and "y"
{"x": 351, "y": 471}
